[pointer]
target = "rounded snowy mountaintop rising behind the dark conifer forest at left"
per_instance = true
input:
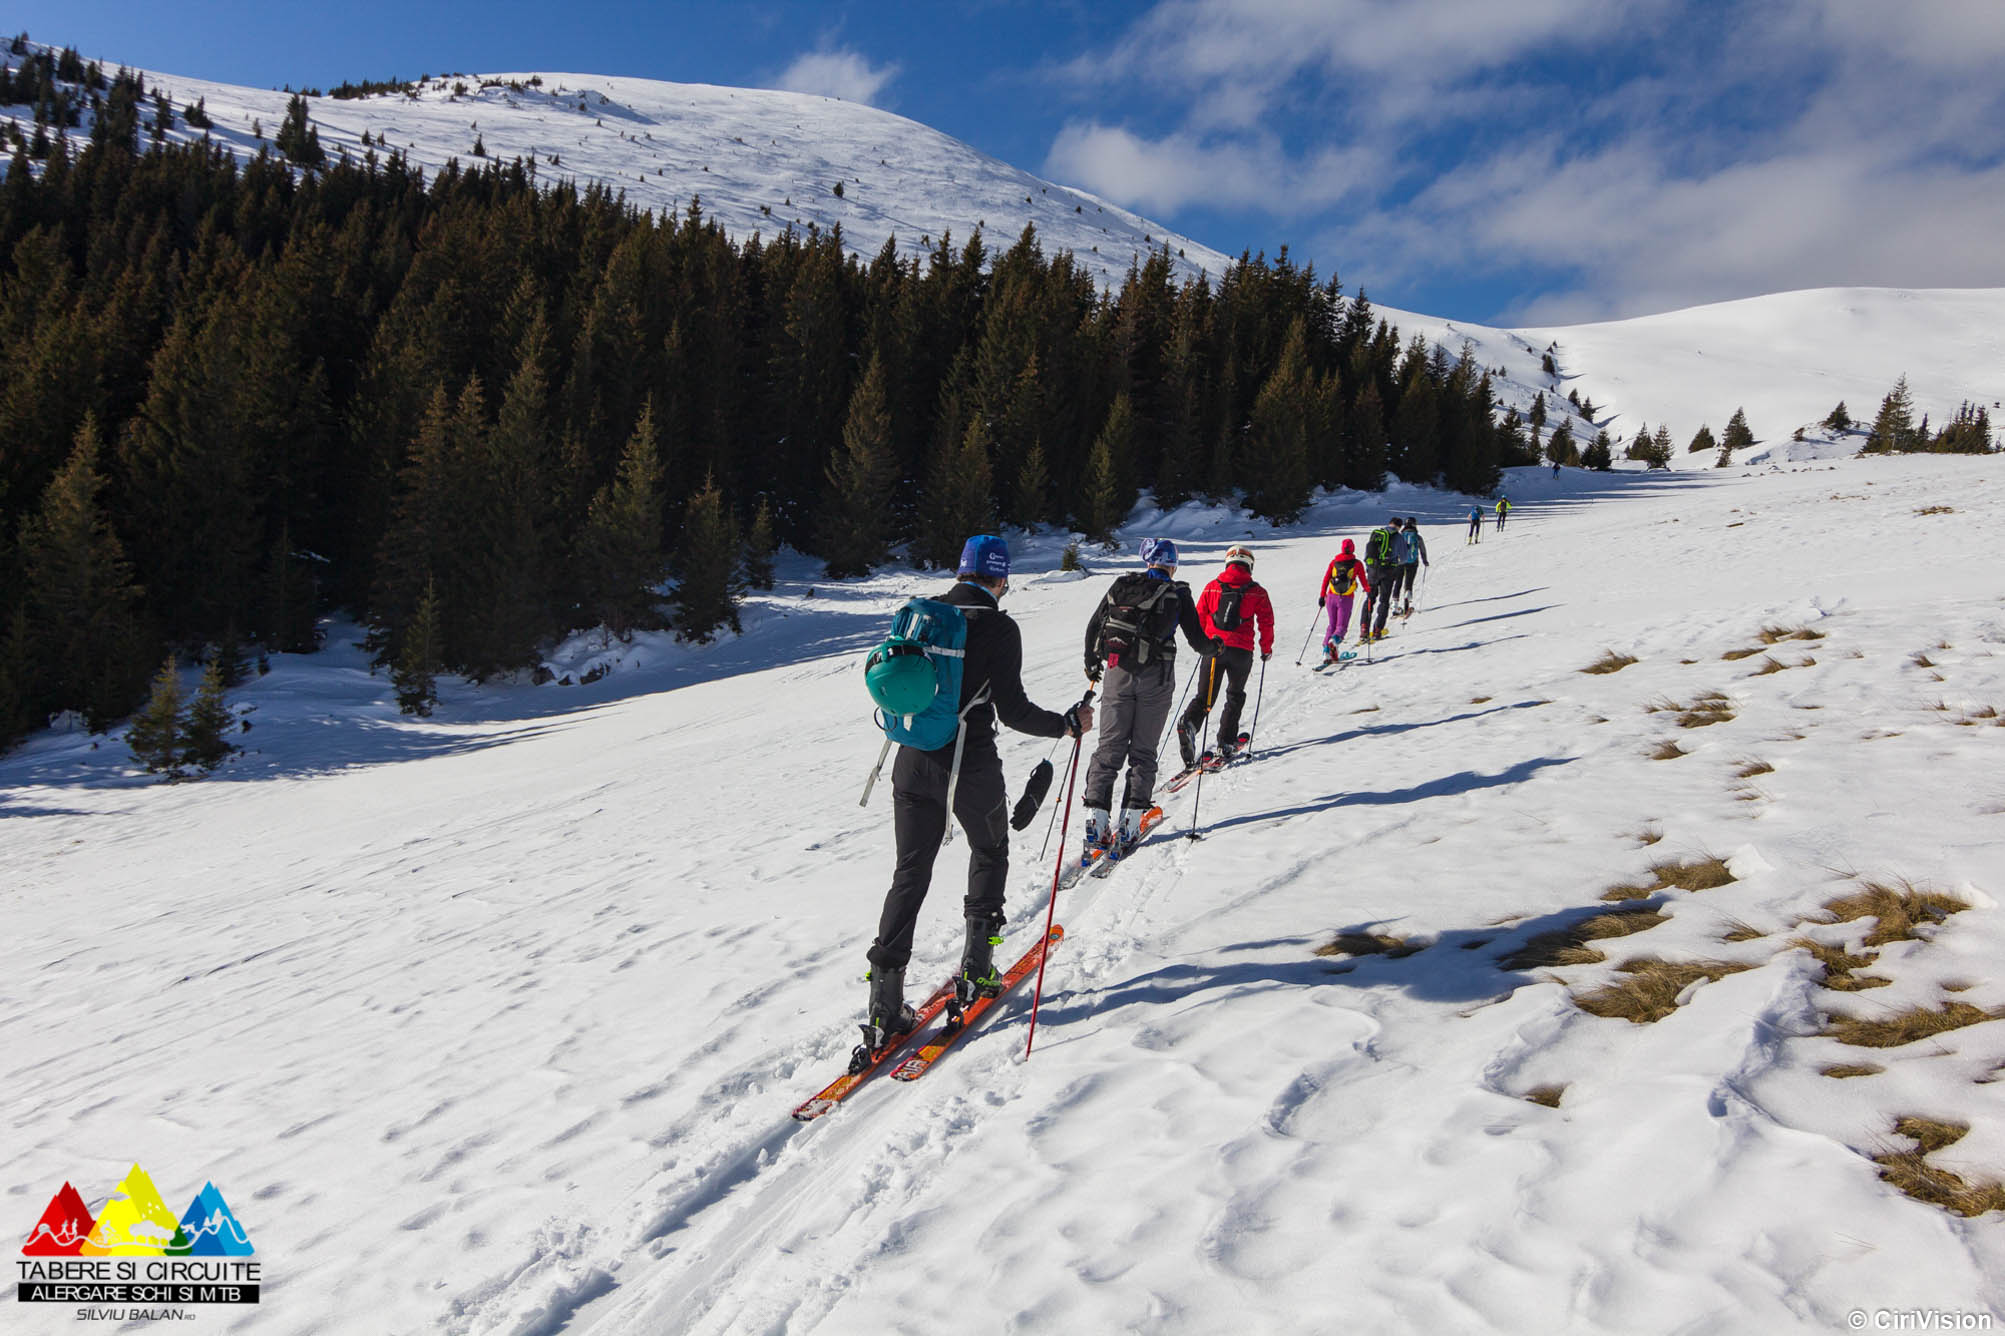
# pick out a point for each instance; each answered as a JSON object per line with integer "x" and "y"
{"x": 759, "y": 159}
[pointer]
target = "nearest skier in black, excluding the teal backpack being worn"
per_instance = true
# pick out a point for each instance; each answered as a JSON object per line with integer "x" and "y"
{"x": 991, "y": 687}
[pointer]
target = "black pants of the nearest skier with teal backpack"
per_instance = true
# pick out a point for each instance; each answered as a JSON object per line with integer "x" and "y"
{"x": 919, "y": 817}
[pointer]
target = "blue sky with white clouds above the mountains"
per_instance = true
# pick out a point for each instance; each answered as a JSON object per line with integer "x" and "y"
{"x": 1481, "y": 159}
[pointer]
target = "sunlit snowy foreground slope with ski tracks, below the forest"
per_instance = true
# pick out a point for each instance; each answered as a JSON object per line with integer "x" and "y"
{"x": 504, "y": 1014}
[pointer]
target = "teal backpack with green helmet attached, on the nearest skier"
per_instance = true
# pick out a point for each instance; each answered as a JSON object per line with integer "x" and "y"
{"x": 915, "y": 683}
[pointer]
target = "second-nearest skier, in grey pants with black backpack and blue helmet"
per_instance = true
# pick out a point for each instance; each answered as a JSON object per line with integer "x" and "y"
{"x": 1132, "y": 653}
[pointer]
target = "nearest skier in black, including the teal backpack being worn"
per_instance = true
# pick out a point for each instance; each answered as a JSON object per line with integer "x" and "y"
{"x": 949, "y": 671}
